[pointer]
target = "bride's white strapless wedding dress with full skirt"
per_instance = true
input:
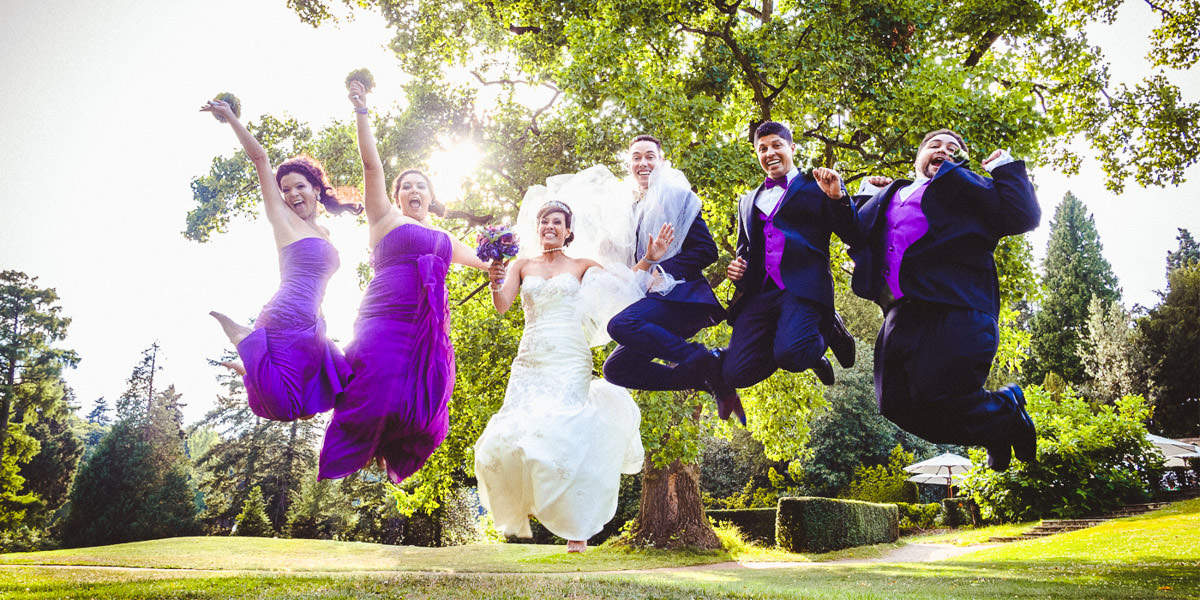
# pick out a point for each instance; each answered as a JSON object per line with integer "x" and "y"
{"x": 559, "y": 446}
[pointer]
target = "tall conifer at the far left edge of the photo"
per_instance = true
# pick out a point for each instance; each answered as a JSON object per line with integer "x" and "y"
{"x": 31, "y": 365}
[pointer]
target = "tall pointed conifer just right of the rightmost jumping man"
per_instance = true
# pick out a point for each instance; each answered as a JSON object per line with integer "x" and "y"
{"x": 1076, "y": 272}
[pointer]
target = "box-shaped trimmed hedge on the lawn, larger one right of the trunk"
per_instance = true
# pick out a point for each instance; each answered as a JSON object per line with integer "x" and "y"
{"x": 821, "y": 525}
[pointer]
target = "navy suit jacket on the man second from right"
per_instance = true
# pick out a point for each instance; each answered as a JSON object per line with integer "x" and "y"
{"x": 807, "y": 218}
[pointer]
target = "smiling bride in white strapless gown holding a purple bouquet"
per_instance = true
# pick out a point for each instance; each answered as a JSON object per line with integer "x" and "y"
{"x": 559, "y": 446}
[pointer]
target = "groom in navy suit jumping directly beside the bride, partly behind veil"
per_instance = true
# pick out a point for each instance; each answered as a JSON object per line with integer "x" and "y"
{"x": 658, "y": 327}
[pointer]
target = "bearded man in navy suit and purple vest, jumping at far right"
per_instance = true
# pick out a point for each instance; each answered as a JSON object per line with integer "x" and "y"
{"x": 928, "y": 262}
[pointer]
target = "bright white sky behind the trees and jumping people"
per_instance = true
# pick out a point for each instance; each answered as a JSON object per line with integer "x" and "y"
{"x": 103, "y": 137}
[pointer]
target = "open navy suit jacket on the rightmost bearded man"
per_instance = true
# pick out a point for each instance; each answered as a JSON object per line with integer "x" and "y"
{"x": 953, "y": 262}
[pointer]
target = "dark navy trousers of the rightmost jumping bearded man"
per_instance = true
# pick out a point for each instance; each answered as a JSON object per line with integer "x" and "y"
{"x": 931, "y": 364}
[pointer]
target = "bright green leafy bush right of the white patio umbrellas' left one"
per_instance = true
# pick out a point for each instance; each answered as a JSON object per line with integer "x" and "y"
{"x": 1091, "y": 460}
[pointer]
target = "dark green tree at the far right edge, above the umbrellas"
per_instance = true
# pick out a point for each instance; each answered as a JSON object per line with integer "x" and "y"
{"x": 1172, "y": 338}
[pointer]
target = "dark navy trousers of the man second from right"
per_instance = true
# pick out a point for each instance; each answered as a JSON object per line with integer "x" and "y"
{"x": 776, "y": 329}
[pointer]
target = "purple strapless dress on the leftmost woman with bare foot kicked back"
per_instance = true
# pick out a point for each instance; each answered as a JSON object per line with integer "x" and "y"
{"x": 292, "y": 369}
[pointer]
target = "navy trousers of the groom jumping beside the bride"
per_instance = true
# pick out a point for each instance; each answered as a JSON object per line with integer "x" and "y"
{"x": 651, "y": 329}
